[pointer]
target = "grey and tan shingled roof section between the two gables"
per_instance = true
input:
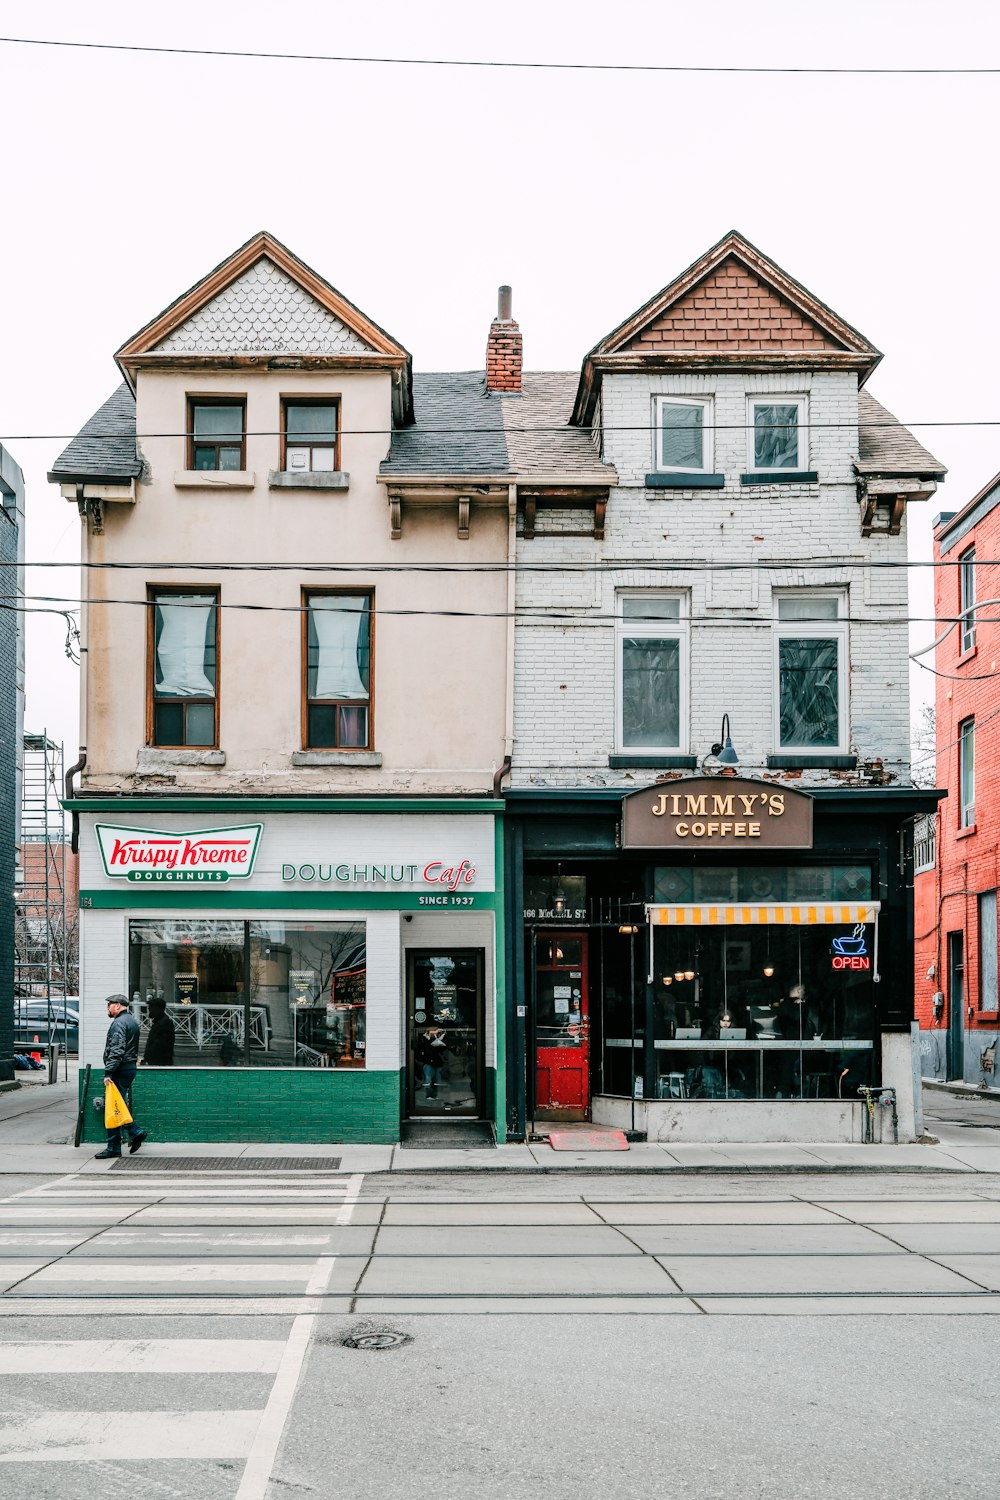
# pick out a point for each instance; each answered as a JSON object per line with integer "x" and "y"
{"x": 464, "y": 430}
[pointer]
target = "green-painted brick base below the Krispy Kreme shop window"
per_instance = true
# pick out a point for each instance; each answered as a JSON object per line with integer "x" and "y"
{"x": 269, "y": 1105}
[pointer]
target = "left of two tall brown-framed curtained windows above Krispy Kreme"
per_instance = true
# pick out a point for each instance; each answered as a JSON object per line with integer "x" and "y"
{"x": 184, "y": 698}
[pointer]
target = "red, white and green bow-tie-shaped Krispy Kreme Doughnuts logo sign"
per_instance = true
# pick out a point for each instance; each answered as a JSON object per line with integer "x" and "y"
{"x": 152, "y": 857}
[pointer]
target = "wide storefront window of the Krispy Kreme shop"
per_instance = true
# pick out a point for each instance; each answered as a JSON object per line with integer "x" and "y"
{"x": 253, "y": 994}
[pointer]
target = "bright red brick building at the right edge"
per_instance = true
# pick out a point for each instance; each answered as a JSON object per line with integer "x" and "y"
{"x": 956, "y": 902}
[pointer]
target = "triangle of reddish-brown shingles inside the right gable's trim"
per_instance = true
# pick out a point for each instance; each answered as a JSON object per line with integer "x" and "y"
{"x": 732, "y": 310}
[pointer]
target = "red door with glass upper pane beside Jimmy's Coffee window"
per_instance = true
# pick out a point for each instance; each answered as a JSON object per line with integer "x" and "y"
{"x": 563, "y": 1036}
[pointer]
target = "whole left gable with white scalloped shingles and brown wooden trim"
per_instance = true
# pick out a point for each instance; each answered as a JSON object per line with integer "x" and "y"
{"x": 217, "y": 325}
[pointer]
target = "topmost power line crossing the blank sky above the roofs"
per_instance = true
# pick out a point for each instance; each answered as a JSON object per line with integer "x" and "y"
{"x": 496, "y": 64}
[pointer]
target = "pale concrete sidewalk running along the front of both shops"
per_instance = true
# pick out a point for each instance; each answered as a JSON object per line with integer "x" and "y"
{"x": 35, "y": 1118}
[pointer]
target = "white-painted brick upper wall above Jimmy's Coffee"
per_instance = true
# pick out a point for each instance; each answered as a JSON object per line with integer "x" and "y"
{"x": 564, "y": 674}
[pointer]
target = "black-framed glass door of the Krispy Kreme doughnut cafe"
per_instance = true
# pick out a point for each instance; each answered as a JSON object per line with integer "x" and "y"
{"x": 445, "y": 1033}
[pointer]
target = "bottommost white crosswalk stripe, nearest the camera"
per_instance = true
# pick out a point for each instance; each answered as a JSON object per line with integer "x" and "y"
{"x": 74, "y": 1436}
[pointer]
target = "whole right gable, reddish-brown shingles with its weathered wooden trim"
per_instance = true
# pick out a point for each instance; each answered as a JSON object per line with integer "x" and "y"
{"x": 731, "y": 308}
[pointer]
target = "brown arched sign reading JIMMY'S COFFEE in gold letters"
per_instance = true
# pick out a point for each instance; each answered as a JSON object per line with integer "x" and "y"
{"x": 716, "y": 812}
